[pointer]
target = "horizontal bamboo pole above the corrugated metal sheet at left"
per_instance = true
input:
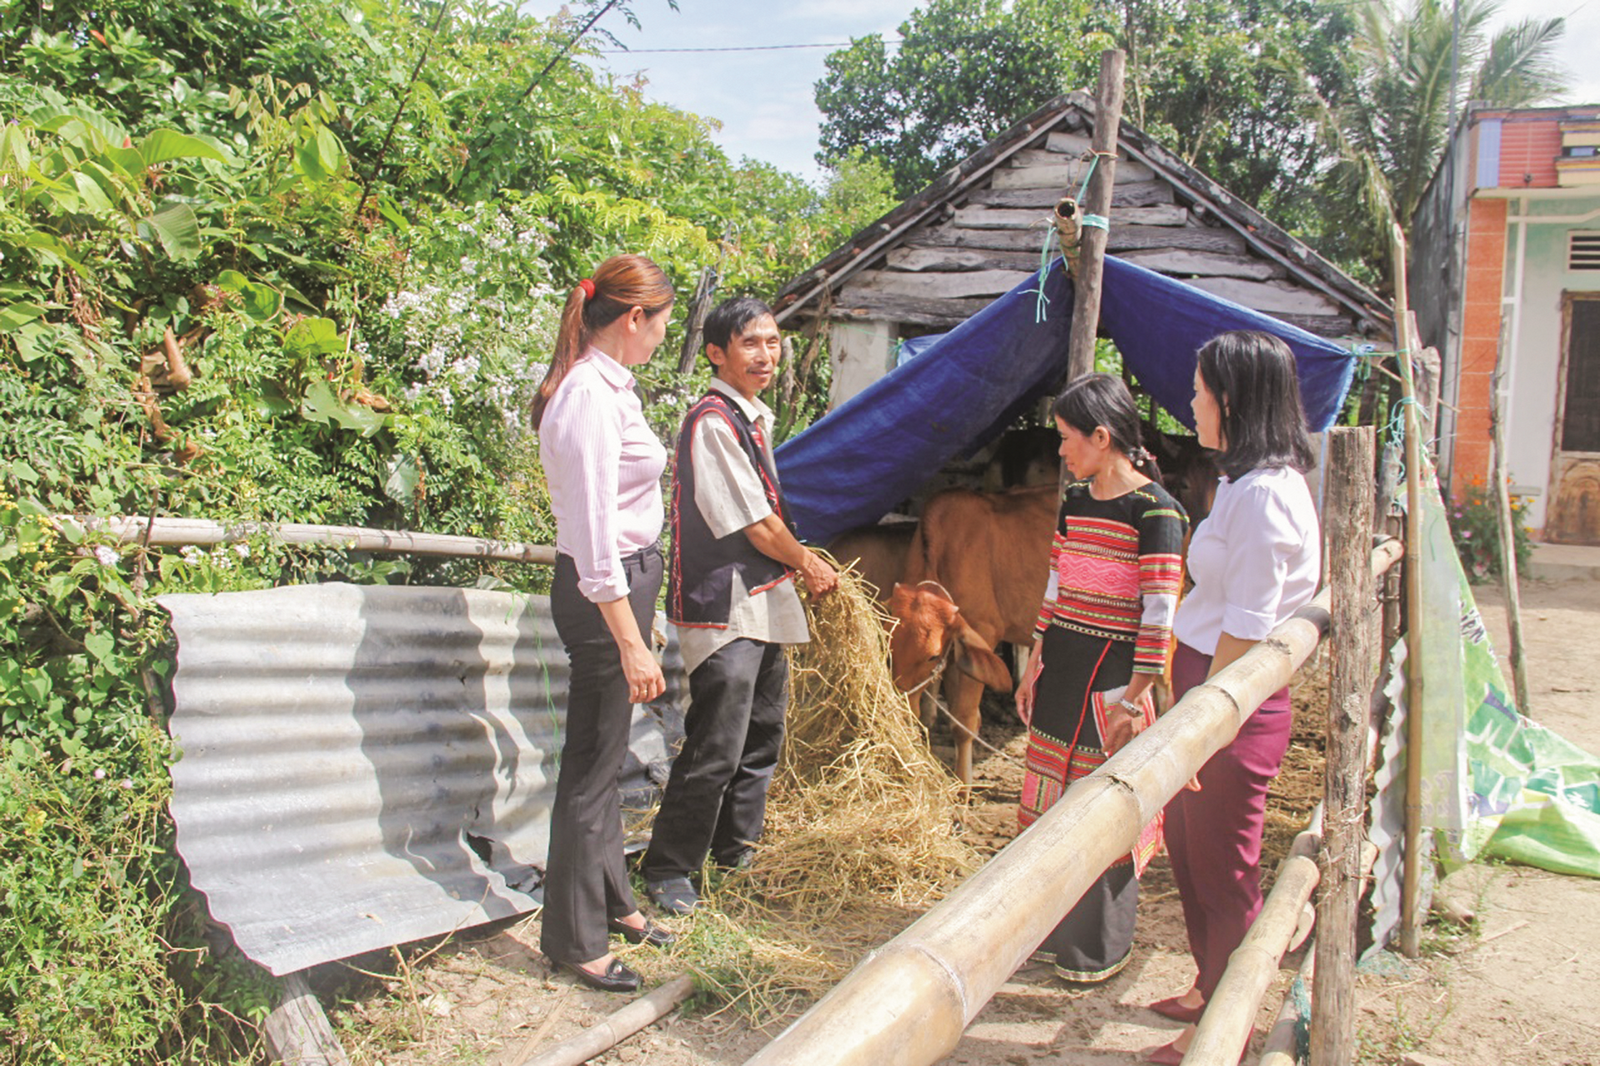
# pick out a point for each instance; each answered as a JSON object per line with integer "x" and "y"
{"x": 204, "y": 534}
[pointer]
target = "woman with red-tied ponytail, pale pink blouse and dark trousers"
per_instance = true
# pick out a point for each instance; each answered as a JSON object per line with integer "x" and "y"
{"x": 604, "y": 470}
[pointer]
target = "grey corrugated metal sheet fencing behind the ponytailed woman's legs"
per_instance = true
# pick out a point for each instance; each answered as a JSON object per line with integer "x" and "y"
{"x": 367, "y": 766}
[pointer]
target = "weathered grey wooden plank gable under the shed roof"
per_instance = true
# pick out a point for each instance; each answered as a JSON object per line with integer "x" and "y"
{"x": 988, "y": 242}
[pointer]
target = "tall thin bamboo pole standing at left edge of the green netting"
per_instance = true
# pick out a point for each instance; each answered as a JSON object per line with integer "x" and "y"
{"x": 1412, "y": 873}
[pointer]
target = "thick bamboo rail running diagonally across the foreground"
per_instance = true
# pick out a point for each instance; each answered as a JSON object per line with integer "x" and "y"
{"x": 911, "y": 1000}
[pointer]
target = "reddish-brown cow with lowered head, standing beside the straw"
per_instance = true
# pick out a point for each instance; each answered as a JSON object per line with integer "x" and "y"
{"x": 975, "y": 575}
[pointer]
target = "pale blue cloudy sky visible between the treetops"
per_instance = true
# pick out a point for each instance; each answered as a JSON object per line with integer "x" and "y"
{"x": 764, "y": 100}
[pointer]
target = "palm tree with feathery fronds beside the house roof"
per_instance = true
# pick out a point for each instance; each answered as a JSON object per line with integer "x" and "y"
{"x": 1391, "y": 132}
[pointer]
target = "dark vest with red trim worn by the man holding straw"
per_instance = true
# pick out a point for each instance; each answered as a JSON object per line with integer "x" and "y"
{"x": 700, "y": 574}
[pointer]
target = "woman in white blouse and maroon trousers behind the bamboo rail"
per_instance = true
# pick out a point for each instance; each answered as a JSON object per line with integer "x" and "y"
{"x": 1255, "y": 561}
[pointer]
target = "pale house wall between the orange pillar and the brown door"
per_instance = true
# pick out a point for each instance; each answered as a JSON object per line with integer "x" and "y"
{"x": 1530, "y": 423}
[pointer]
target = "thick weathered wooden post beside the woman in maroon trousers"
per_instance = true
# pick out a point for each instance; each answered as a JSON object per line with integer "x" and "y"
{"x": 1350, "y": 519}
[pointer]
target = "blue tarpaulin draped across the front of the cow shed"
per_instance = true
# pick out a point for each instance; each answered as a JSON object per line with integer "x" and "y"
{"x": 964, "y": 390}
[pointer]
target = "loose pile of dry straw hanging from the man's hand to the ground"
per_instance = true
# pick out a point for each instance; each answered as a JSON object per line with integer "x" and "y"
{"x": 862, "y": 822}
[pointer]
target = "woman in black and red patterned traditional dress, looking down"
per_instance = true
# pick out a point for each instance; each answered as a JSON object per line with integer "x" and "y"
{"x": 1102, "y": 643}
